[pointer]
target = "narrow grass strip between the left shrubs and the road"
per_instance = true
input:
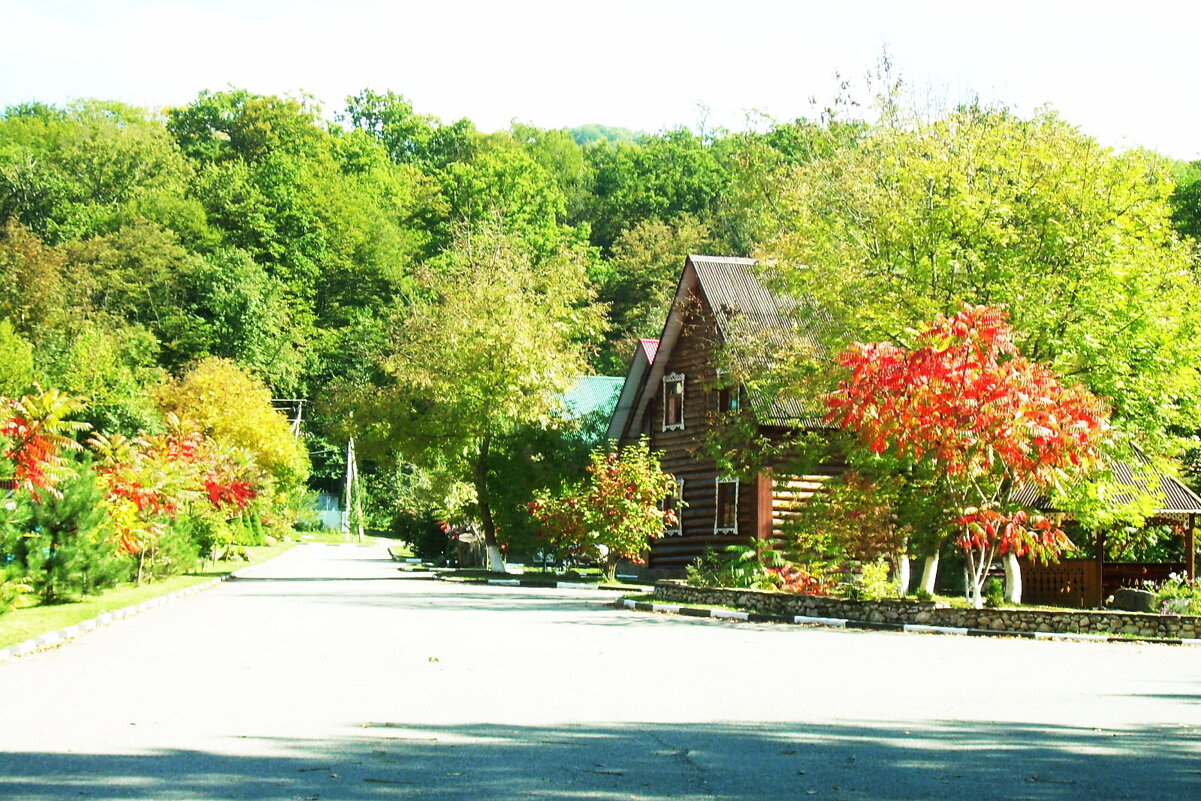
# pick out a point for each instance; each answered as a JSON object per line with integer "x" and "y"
{"x": 34, "y": 621}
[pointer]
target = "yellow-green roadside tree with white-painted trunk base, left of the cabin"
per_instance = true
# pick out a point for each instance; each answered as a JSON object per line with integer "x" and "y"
{"x": 491, "y": 351}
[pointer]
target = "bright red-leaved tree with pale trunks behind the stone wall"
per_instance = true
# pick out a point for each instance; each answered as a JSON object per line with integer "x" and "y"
{"x": 989, "y": 421}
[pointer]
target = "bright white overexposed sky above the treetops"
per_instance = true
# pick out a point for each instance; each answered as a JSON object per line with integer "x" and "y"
{"x": 1125, "y": 73}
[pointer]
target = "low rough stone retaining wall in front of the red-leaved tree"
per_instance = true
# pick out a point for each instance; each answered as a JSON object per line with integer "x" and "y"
{"x": 931, "y": 614}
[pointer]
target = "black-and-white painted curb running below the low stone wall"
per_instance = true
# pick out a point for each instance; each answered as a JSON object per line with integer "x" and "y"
{"x": 839, "y": 623}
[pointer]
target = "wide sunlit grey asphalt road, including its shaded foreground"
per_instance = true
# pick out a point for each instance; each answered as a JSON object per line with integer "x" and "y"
{"x": 330, "y": 676}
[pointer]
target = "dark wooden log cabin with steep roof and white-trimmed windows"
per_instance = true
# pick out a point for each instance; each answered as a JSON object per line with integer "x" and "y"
{"x": 677, "y": 392}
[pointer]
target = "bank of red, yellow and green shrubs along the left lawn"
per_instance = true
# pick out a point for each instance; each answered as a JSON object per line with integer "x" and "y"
{"x": 79, "y": 521}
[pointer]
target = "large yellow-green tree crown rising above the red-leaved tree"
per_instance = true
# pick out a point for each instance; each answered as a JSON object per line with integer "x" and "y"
{"x": 983, "y": 207}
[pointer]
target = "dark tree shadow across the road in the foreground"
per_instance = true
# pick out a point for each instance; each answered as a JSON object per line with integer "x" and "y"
{"x": 652, "y": 762}
